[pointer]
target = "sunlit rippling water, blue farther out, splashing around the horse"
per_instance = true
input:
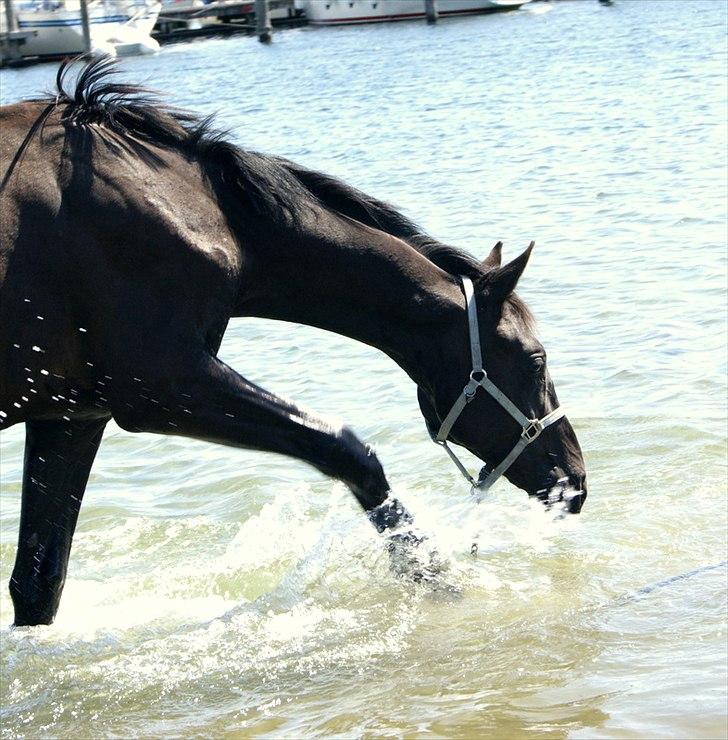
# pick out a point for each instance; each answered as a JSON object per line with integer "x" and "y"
{"x": 221, "y": 593}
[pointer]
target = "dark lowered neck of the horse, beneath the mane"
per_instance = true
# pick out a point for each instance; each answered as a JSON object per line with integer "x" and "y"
{"x": 362, "y": 283}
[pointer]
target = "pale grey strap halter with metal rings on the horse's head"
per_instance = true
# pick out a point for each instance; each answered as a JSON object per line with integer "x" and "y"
{"x": 530, "y": 428}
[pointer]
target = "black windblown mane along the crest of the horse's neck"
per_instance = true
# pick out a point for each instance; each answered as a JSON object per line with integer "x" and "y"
{"x": 272, "y": 186}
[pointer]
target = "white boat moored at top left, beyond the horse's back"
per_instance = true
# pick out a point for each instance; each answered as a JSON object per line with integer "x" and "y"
{"x": 117, "y": 27}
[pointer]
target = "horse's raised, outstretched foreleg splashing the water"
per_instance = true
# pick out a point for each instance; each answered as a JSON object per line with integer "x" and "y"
{"x": 214, "y": 403}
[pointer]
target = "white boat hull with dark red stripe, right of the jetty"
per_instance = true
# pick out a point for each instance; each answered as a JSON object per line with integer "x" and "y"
{"x": 343, "y": 12}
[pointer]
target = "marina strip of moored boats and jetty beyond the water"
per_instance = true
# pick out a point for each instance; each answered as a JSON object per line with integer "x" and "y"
{"x": 39, "y": 30}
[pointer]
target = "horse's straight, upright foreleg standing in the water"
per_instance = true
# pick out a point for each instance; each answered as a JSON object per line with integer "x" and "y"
{"x": 58, "y": 459}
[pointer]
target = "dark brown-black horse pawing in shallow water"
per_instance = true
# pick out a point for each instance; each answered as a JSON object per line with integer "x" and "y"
{"x": 131, "y": 232}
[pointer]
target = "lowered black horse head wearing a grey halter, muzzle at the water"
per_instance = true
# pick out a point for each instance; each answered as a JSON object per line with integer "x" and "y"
{"x": 513, "y": 422}
